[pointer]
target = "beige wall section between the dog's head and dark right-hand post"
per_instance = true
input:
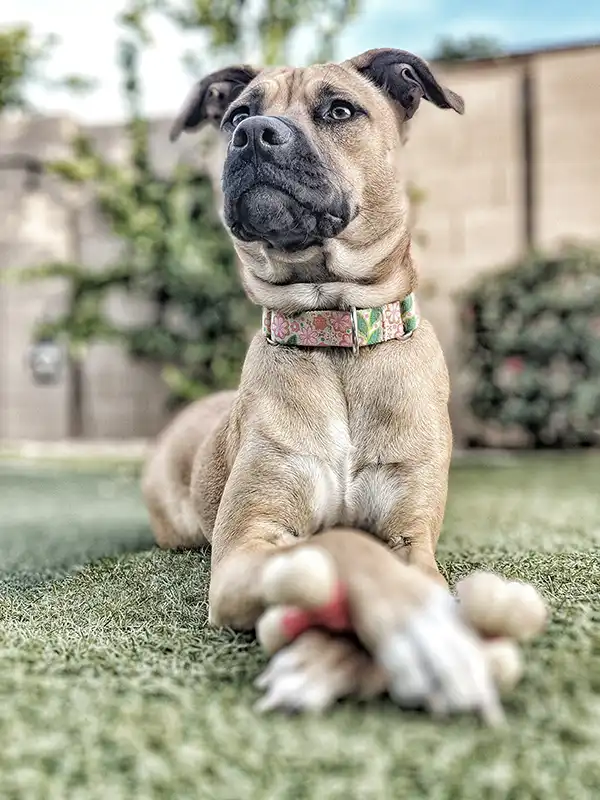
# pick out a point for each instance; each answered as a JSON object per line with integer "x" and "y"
{"x": 470, "y": 170}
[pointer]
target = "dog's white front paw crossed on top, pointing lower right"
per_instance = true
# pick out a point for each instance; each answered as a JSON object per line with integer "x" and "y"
{"x": 434, "y": 661}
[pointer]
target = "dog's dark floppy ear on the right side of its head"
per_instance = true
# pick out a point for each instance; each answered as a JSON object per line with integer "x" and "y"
{"x": 406, "y": 78}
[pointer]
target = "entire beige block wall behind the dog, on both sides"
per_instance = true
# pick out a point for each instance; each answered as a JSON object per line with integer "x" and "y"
{"x": 471, "y": 168}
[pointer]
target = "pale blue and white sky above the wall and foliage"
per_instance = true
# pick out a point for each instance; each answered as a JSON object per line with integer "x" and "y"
{"x": 88, "y": 32}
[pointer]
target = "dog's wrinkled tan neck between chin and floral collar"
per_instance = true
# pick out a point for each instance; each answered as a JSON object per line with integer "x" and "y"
{"x": 336, "y": 276}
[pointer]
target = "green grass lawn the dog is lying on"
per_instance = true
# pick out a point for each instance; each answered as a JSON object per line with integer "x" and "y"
{"x": 112, "y": 686}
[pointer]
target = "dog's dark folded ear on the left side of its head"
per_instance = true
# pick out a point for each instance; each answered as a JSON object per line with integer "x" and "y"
{"x": 210, "y": 98}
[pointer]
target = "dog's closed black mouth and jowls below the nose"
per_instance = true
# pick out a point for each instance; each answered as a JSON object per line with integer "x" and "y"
{"x": 289, "y": 209}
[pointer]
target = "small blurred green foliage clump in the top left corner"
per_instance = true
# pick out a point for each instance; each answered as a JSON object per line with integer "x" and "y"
{"x": 22, "y": 62}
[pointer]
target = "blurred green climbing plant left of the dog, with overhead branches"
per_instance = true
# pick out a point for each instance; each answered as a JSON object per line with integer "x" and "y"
{"x": 176, "y": 256}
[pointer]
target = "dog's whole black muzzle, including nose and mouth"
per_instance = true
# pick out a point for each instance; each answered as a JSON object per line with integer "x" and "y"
{"x": 278, "y": 190}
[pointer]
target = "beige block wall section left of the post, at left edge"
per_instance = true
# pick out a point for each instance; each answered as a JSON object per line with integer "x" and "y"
{"x": 33, "y": 229}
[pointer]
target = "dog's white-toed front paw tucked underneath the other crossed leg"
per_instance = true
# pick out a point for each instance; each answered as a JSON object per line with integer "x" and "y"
{"x": 317, "y": 670}
